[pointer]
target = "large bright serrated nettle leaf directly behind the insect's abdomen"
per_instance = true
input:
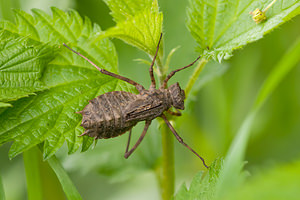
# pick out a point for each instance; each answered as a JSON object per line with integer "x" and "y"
{"x": 50, "y": 116}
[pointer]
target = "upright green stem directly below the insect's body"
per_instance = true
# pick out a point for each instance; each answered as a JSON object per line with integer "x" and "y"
{"x": 167, "y": 178}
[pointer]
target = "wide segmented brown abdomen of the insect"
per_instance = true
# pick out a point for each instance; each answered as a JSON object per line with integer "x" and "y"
{"x": 103, "y": 117}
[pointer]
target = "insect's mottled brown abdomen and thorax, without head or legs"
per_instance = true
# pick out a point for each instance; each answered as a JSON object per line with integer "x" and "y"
{"x": 113, "y": 113}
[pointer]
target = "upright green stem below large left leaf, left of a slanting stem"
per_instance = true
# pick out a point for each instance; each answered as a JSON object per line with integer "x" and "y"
{"x": 33, "y": 179}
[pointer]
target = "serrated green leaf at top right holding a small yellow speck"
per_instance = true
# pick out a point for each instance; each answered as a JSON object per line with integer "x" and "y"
{"x": 219, "y": 27}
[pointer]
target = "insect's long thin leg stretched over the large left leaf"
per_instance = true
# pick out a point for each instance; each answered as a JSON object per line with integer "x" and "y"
{"x": 103, "y": 71}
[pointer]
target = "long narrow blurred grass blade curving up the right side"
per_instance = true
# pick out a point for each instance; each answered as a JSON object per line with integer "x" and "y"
{"x": 233, "y": 164}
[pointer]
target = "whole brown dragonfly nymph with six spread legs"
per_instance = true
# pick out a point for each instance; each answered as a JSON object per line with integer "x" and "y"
{"x": 114, "y": 113}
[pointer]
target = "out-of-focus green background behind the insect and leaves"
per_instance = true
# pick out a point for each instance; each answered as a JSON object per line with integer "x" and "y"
{"x": 208, "y": 124}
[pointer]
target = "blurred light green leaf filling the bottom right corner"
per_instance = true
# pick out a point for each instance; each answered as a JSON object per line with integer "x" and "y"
{"x": 278, "y": 183}
